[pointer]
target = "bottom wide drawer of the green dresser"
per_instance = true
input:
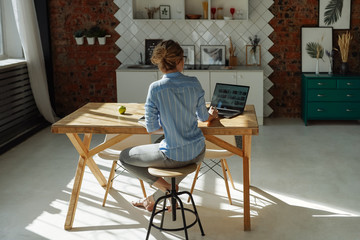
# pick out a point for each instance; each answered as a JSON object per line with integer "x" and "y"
{"x": 333, "y": 110}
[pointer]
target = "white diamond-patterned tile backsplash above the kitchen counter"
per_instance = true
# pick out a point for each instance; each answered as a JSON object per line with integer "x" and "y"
{"x": 197, "y": 32}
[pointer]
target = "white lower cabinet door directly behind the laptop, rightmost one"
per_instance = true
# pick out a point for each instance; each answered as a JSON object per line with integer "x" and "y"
{"x": 256, "y": 94}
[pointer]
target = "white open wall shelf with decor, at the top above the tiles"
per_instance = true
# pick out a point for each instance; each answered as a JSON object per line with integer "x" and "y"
{"x": 193, "y": 10}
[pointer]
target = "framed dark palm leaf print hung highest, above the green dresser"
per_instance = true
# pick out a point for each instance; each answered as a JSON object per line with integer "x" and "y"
{"x": 336, "y": 14}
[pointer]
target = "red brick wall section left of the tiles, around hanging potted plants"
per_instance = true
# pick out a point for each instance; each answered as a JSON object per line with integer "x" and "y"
{"x": 82, "y": 73}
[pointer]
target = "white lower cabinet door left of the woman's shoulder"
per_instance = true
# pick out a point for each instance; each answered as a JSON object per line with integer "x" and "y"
{"x": 133, "y": 86}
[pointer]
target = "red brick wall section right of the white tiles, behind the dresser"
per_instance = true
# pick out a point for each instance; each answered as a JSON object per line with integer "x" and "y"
{"x": 290, "y": 16}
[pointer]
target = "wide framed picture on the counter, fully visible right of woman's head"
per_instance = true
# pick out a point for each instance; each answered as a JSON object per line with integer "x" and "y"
{"x": 212, "y": 54}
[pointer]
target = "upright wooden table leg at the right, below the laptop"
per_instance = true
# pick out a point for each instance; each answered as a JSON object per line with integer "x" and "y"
{"x": 246, "y": 176}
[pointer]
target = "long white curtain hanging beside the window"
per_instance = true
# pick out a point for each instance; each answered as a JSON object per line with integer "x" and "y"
{"x": 25, "y": 17}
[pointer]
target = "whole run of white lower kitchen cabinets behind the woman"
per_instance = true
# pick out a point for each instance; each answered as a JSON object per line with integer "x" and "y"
{"x": 132, "y": 85}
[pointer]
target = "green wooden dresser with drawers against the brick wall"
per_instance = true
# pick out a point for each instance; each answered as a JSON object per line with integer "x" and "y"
{"x": 330, "y": 97}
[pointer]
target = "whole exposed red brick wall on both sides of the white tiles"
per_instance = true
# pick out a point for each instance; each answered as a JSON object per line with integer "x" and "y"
{"x": 87, "y": 73}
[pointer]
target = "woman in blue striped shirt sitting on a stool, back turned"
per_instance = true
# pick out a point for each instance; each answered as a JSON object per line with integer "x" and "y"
{"x": 174, "y": 103}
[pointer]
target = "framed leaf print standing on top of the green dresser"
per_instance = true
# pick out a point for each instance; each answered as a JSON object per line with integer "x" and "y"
{"x": 315, "y": 41}
